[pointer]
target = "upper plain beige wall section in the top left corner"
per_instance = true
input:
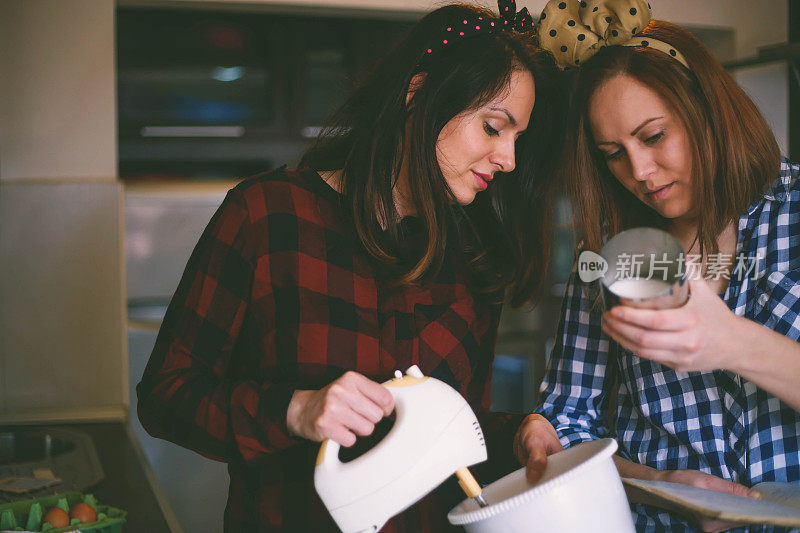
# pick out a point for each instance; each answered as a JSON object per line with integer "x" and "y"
{"x": 57, "y": 97}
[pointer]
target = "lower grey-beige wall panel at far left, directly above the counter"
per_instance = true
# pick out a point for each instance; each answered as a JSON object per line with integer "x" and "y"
{"x": 62, "y": 344}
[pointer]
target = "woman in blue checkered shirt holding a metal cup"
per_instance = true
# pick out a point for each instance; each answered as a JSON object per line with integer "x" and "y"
{"x": 660, "y": 135}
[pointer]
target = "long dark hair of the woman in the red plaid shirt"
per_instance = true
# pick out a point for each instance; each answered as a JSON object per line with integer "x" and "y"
{"x": 504, "y": 234}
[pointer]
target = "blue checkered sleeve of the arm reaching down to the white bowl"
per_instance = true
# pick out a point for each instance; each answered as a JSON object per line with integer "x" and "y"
{"x": 574, "y": 390}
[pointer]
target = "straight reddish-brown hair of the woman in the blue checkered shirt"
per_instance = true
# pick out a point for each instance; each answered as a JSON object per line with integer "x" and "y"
{"x": 734, "y": 154}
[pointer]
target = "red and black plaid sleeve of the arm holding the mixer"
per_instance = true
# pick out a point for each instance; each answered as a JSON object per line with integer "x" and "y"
{"x": 186, "y": 394}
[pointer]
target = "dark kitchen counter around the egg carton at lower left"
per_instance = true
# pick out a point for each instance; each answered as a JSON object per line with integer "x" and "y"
{"x": 126, "y": 484}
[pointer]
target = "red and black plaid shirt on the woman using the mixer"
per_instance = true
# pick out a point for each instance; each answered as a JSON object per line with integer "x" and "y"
{"x": 278, "y": 296}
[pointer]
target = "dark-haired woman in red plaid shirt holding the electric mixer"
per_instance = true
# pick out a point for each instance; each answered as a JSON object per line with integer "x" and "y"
{"x": 393, "y": 246}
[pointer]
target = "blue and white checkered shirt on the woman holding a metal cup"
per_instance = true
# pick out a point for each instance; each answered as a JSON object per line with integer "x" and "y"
{"x": 715, "y": 422}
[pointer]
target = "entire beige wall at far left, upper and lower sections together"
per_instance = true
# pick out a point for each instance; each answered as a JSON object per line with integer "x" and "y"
{"x": 62, "y": 343}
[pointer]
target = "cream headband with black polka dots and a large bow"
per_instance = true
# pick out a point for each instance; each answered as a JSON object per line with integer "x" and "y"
{"x": 573, "y": 31}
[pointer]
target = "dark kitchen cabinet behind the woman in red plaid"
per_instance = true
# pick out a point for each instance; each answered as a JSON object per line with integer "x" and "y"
{"x": 225, "y": 94}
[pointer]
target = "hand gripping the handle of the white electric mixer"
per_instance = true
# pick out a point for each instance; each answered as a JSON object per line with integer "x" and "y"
{"x": 344, "y": 410}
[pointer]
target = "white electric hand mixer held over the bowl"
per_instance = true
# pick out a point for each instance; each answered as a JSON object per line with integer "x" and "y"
{"x": 435, "y": 435}
